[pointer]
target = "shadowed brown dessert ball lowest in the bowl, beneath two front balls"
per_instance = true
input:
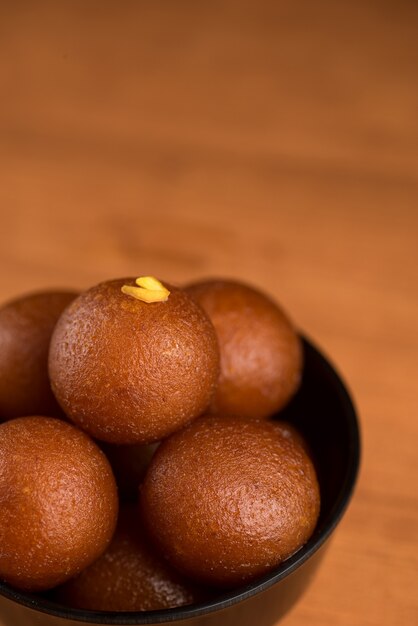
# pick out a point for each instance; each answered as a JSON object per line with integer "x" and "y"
{"x": 129, "y": 576}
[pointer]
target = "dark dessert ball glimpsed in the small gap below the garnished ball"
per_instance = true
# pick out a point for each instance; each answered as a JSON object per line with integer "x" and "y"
{"x": 129, "y": 464}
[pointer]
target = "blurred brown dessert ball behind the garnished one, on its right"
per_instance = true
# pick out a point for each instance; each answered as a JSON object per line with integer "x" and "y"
{"x": 261, "y": 354}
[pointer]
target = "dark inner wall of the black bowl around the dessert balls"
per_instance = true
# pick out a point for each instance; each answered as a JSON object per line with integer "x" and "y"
{"x": 323, "y": 412}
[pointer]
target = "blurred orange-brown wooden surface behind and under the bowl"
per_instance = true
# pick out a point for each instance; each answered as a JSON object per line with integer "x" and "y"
{"x": 272, "y": 141}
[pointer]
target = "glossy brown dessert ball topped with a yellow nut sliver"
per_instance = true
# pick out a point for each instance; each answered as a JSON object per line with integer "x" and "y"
{"x": 128, "y": 371}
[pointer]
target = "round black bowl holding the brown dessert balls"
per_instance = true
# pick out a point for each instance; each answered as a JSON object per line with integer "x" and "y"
{"x": 323, "y": 411}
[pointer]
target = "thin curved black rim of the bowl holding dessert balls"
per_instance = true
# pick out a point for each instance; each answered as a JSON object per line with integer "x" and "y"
{"x": 229, "y": 598}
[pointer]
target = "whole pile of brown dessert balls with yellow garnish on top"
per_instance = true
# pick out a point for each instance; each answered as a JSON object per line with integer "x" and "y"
{"x": 140, "y": 467}
